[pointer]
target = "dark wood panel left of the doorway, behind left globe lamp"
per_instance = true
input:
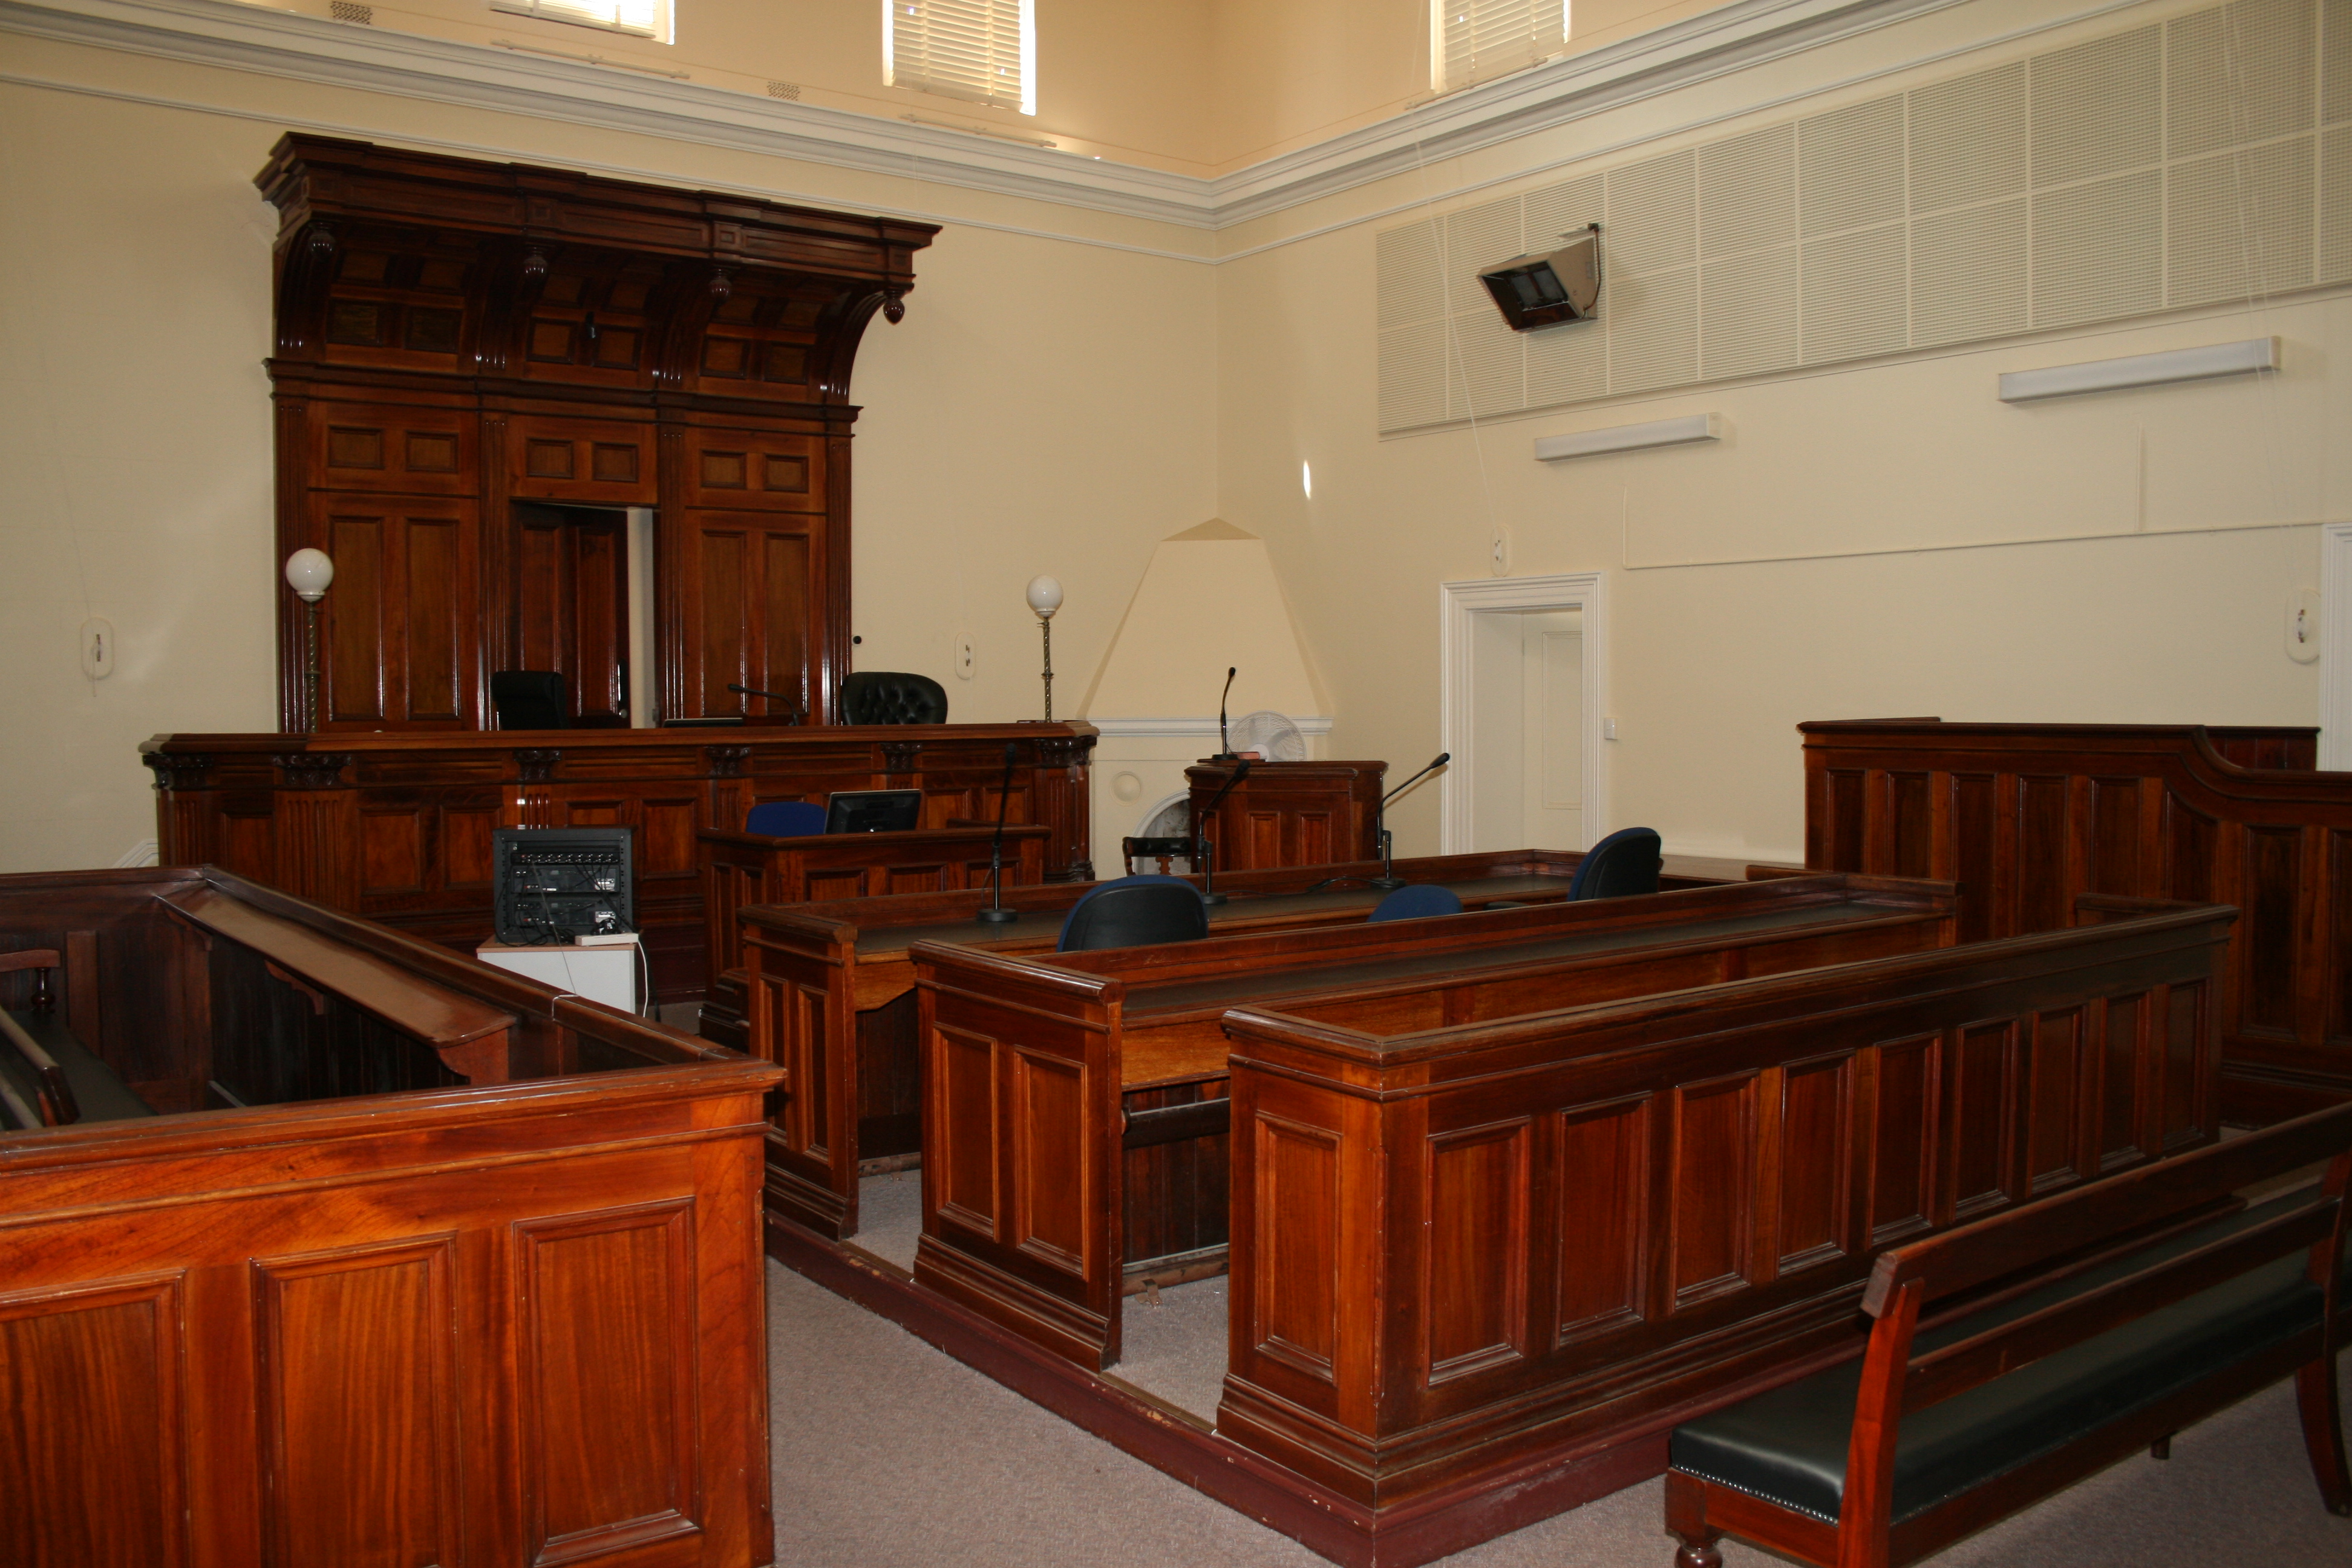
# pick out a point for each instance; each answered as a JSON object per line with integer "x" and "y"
{"x": 399, "y": 624}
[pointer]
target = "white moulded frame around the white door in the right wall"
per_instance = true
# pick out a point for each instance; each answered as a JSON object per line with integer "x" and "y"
{"x": 1457, "y": 603}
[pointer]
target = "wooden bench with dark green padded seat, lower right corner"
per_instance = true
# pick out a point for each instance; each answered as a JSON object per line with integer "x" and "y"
{"x": 2087, "y": 1351}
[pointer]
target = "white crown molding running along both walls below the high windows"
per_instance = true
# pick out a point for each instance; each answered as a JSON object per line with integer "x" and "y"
{"x": 314, "y": 51}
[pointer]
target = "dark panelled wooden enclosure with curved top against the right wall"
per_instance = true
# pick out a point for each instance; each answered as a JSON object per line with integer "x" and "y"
{"x": 2031, "y": 817}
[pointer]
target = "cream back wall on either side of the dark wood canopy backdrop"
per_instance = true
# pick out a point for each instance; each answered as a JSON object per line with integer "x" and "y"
{"x": 1024, "y": 417}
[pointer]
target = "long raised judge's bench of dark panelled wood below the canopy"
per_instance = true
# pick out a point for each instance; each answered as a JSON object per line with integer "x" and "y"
{"x": 399, "y": 826}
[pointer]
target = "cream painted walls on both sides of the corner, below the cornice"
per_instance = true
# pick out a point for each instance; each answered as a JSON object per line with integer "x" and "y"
{"x": 1062, "y": 398}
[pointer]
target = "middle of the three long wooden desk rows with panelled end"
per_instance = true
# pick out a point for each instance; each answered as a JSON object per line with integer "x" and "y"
{"x": 1083, "y": 1068}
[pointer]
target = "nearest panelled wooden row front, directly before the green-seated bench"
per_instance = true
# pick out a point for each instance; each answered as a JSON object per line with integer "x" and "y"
{"x": 1462, "y": 1247}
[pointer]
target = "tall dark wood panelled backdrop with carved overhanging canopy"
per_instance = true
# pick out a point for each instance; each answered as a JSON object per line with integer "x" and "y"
{"x": 465, "y": 344}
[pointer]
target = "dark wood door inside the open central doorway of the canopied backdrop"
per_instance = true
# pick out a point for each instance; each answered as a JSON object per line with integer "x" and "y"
{"x": 573, "y": 605}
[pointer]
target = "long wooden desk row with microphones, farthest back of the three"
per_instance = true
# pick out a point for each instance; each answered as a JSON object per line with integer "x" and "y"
{"x": 829, "y": 991}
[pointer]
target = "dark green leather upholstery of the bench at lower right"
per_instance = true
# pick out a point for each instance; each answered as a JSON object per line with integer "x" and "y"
{"x": 1789, "y": 1447}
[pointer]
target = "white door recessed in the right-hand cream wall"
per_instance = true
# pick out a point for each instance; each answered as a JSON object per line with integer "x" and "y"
{"x": 1528, "y": 730}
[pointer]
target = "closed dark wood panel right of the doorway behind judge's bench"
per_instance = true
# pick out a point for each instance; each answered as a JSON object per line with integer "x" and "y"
{"x": 751, "y": 608}
